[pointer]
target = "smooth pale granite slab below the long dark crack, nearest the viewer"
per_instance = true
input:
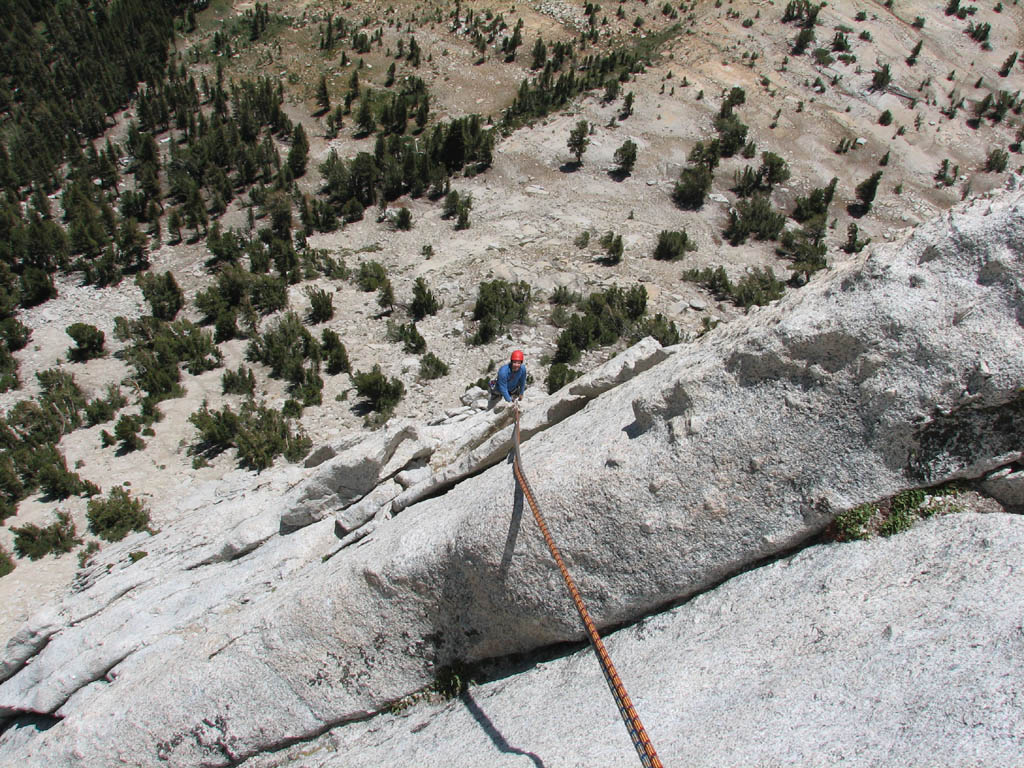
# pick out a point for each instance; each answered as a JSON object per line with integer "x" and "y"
{"x": 884, "y": 653}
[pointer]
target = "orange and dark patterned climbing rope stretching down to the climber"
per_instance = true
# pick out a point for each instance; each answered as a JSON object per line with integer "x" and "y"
{"x": 649, "y": 758}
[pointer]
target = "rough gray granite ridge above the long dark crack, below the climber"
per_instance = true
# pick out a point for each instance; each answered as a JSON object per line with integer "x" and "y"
{"x": 903, "y": 370}
